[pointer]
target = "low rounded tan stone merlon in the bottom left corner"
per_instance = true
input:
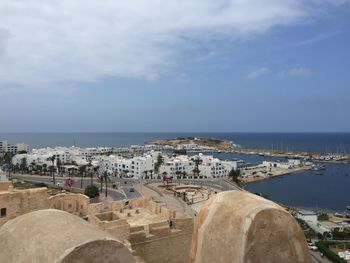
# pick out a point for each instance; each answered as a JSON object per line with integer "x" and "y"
{"x": 57, "y": 236}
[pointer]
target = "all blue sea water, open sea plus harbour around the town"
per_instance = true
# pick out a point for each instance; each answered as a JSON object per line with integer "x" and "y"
{"x": 329, "y": 191}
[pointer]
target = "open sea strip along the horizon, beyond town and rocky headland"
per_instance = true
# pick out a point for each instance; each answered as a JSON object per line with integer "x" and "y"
{"x": 322, "y": 142}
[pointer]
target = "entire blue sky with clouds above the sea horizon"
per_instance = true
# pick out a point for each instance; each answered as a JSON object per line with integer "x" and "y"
{"x": 175, "y": 66}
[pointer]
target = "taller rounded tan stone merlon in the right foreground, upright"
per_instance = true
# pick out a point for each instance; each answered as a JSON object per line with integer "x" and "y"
{"x": 237, "y": 226}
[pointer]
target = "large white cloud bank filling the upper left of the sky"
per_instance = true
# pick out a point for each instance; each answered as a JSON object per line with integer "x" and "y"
{"x": 59, "y": 42}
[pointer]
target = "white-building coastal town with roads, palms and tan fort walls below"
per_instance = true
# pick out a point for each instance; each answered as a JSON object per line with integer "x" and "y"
{"x": 181, "y": 177}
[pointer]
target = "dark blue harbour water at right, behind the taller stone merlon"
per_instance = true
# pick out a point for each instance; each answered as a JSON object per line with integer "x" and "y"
{"x": 330, "y": 191}
